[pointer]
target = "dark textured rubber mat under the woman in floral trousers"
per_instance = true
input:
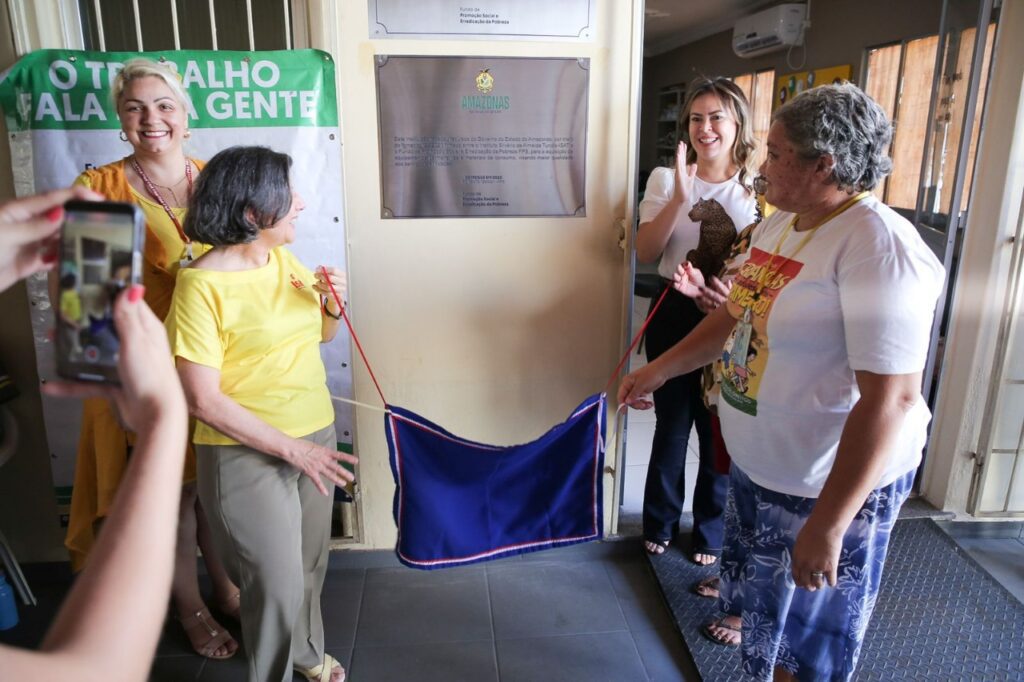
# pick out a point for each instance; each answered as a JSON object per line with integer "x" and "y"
{"x": 940, "y": 616}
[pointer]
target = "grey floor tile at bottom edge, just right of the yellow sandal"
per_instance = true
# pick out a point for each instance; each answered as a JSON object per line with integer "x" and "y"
{"x": 449, "y": 662}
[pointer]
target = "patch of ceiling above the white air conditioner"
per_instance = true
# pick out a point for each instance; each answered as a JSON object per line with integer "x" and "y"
{"x": 670, "y": 24}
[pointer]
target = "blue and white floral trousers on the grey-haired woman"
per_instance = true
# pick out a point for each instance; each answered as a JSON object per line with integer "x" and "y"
{"x": 813, "y": 635}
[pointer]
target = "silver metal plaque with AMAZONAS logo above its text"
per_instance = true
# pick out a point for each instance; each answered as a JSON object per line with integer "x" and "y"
{"x": 482, "y": 137}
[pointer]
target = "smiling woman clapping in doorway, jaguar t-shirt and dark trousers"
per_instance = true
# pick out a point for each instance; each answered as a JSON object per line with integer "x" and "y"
{"x": 710, "y": 180}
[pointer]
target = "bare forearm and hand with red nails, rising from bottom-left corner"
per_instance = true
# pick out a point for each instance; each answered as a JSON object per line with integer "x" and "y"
{"x": 111, "y": 622}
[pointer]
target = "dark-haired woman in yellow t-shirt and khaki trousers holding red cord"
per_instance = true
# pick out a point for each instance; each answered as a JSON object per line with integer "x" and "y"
{"x": 246, "y": 324}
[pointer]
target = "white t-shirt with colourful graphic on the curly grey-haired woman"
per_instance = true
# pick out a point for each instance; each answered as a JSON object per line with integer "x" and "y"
{"x": 859, "y": 295}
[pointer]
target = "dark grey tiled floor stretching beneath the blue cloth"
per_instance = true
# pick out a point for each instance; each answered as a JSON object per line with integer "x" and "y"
{"x": 582, "y": 614}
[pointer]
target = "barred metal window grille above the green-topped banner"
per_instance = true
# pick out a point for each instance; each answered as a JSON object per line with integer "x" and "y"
{"x": 227, "y": 25}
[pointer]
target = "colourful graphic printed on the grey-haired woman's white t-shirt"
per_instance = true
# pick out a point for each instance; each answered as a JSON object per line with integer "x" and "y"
{"x": 747, "y": 351}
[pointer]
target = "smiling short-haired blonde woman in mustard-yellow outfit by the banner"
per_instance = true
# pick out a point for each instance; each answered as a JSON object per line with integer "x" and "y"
{"x": 158, "y": 178}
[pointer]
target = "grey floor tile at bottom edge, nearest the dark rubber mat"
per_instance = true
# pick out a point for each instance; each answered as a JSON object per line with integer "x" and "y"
{"x": 599, "y": 658}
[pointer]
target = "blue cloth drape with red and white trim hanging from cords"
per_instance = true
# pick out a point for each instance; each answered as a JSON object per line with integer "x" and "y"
{"x": 459, "y": 502}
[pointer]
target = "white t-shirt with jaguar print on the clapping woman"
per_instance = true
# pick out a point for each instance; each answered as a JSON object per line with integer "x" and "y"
{"x": 738, "y": 202}
